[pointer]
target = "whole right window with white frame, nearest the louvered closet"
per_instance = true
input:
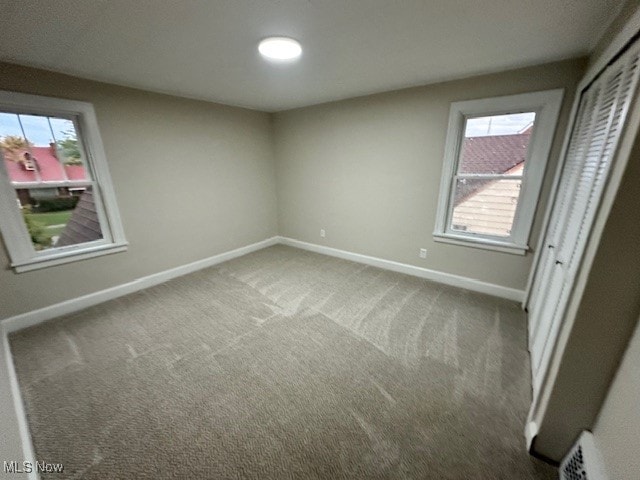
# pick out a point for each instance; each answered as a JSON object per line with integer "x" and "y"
{"x": 495, "y": 157}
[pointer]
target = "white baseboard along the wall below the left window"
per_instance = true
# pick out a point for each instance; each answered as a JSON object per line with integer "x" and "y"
{"x": 34, "y": 317}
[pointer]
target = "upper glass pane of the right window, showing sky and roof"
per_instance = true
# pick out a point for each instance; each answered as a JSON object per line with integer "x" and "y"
{"x": 496, "y": 144}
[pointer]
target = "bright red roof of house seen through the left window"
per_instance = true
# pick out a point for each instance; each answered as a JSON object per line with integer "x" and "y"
{"x": 49, "y": 167}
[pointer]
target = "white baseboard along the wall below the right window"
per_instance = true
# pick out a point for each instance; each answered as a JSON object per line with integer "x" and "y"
{"x": 436, "y": 276}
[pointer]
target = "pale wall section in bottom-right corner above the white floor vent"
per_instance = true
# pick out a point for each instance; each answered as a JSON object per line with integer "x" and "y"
{"x": 617, "y": 429}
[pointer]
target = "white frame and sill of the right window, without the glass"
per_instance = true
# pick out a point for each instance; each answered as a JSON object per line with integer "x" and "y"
{"x": 546, "y": 105}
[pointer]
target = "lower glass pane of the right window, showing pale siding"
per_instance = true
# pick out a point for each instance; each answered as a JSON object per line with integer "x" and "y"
{"x": 485, "y": 206}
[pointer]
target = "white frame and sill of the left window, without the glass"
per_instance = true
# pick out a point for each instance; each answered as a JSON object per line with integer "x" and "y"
{"x": 23, "y": 256}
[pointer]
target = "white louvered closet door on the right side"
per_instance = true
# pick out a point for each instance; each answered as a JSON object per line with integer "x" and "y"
{"x": 601, "y": 116}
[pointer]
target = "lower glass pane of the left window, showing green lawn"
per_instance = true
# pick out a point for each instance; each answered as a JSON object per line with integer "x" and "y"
{"x": 57, "y": 217}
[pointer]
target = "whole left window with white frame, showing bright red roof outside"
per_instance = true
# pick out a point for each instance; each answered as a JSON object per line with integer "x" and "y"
{"x": 56, "y": 199}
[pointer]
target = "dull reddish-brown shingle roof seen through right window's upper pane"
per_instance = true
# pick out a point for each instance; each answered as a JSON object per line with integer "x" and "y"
{"x": 494, "y": 153}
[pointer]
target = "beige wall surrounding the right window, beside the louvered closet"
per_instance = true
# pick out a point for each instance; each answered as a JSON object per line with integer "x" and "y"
{"x": 367, "y": 170}
